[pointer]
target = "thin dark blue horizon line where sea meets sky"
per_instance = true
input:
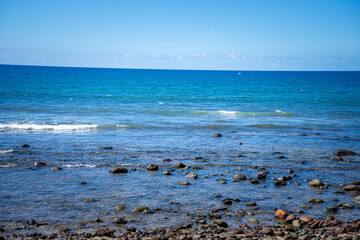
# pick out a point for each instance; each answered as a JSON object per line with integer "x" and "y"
{"x": 175, "y": 69}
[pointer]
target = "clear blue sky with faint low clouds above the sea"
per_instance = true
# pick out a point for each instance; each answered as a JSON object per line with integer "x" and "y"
{"x": 183, "y": 34}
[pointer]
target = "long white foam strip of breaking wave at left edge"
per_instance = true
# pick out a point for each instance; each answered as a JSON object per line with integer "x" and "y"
{"x": 54, "y": 127}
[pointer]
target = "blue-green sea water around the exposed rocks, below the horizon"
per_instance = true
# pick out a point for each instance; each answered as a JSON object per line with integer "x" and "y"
{"x": 67, "y": 114}
